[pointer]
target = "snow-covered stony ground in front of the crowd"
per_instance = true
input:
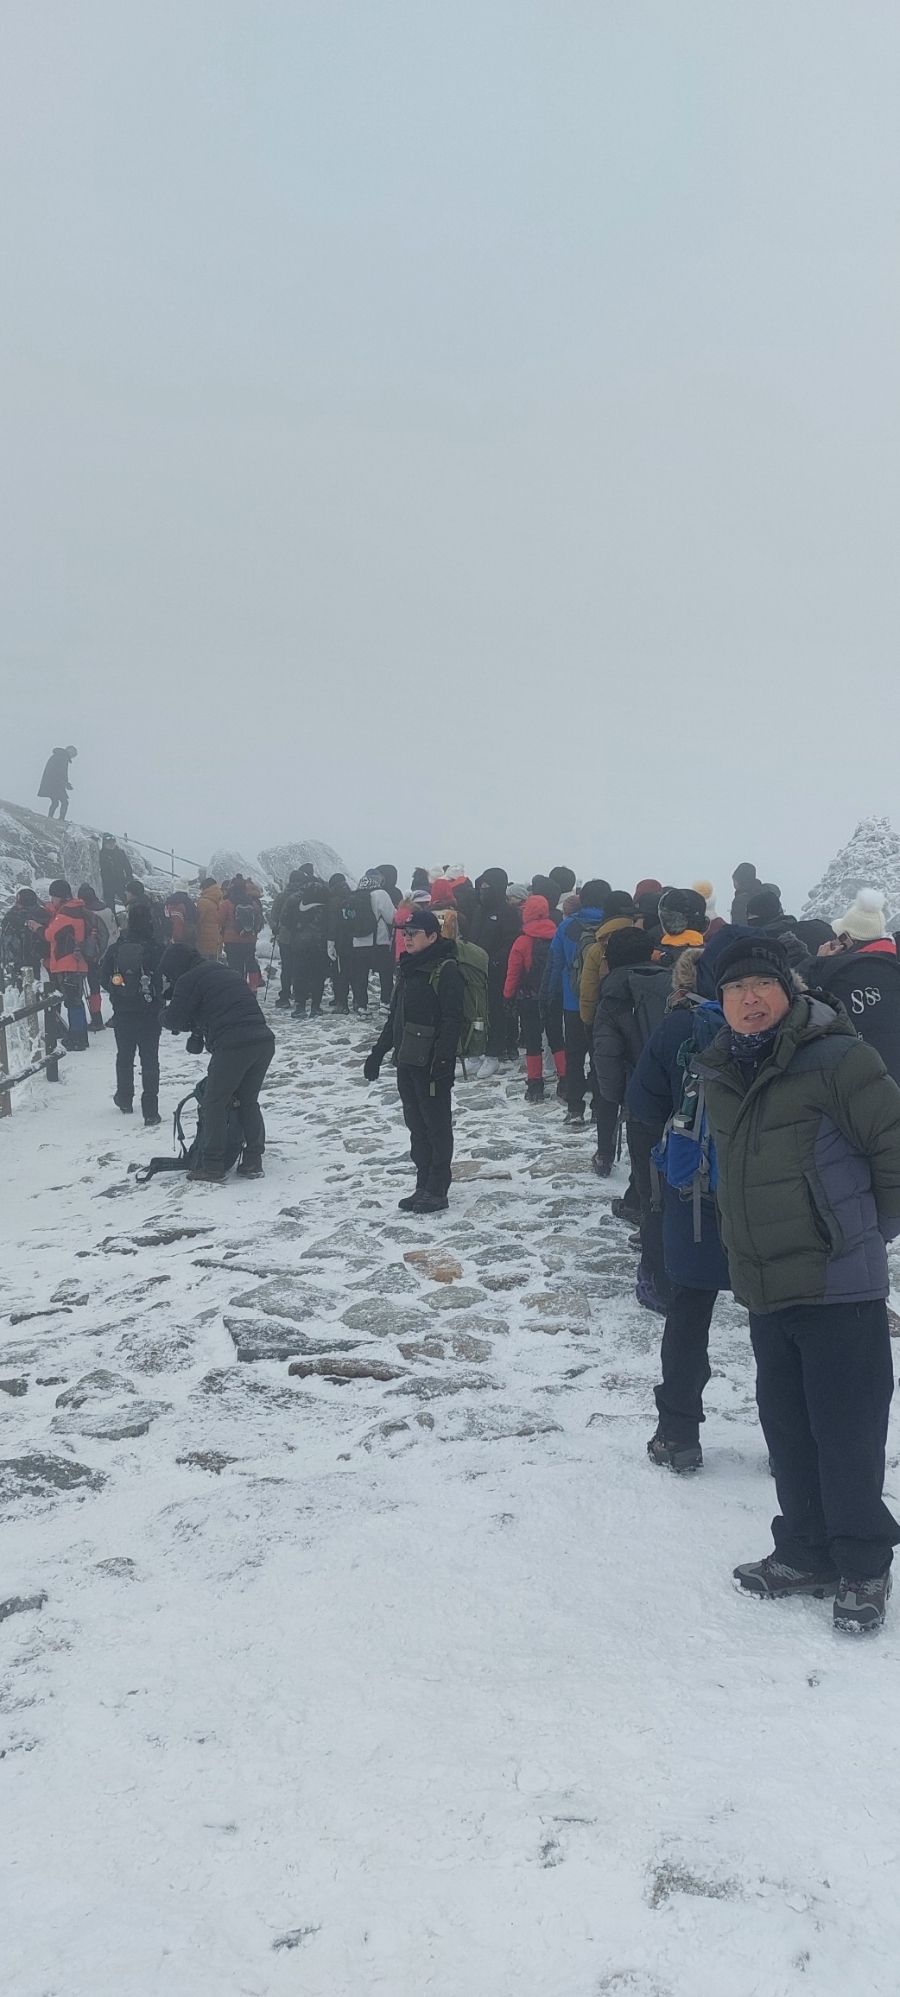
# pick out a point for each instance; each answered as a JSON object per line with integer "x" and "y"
{"x": 414, "y": 1682}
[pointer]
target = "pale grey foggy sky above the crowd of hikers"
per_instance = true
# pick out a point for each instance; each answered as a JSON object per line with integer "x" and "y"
{"x": 454, "y": 432}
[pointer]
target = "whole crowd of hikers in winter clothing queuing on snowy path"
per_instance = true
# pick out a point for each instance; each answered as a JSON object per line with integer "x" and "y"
{"x": 747, "y": 1065}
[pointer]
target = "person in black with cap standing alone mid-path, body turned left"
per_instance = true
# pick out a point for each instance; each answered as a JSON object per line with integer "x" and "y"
{"x": 424, "y": 1029}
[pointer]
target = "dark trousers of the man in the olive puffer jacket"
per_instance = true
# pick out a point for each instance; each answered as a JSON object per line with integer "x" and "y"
{"x": 823, "y": 1387}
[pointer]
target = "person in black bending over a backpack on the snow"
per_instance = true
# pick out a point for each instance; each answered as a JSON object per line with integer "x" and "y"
{"x": 221, "y": 1013}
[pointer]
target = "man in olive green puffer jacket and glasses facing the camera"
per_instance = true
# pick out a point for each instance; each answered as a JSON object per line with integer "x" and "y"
{"x": 807, "y": 1133}
